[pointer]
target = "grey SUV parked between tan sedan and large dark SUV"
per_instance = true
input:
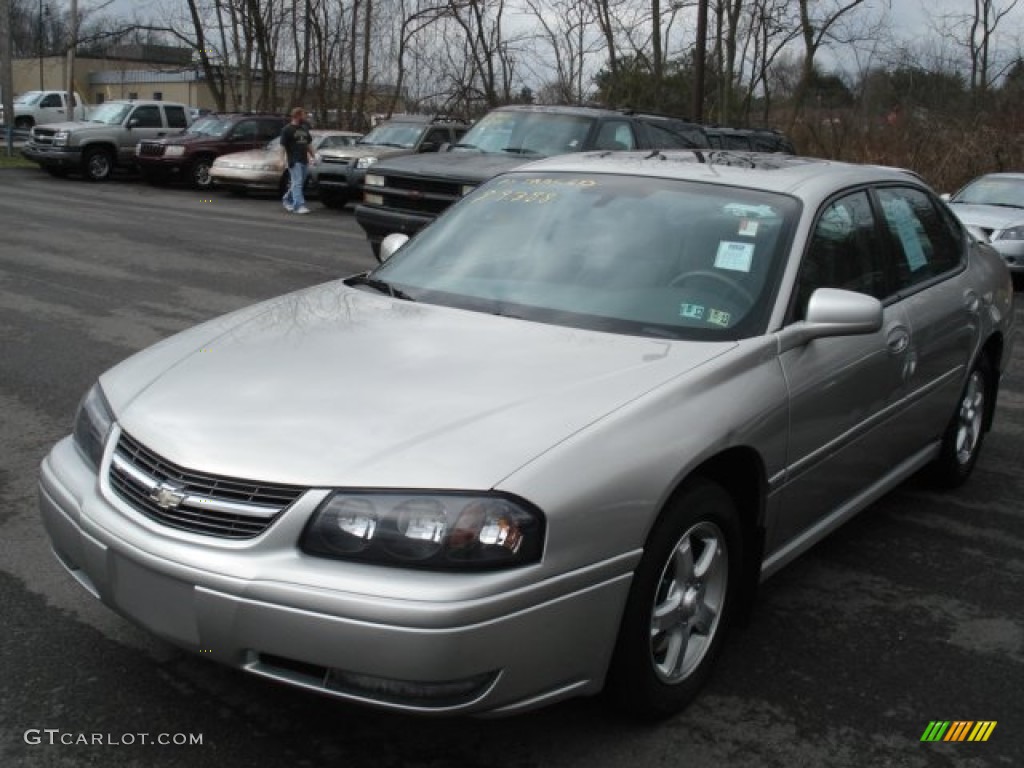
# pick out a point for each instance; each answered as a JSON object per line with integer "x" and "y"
{"x": 340, "y": 172}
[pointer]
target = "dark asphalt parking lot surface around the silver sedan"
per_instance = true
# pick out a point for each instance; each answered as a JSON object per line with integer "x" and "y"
{"x": 911, "y": 614}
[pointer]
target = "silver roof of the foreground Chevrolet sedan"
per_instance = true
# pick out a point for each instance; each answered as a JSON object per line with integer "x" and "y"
{"x": 769, "y": 172}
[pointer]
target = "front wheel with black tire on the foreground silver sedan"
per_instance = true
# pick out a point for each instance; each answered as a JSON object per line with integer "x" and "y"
{"x": 681, "y": 603}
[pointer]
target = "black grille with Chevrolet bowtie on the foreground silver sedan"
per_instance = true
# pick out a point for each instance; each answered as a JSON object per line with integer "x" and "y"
{"x": 191, "y": 501}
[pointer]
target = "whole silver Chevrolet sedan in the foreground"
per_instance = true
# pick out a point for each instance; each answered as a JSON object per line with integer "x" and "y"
{"x": 549, "y": 447}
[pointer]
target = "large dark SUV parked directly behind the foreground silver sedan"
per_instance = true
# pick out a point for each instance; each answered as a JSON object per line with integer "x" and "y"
{"x": 406, "y": 194}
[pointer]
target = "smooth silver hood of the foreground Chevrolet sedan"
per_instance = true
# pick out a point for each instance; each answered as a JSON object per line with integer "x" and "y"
{"x": 335, "y": 387}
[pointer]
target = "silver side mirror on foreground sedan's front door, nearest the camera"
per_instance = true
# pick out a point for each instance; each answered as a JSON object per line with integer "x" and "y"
{"x": 833, "y": 312}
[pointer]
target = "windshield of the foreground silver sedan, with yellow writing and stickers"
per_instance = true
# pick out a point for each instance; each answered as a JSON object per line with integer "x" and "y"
{"x": 697, "y": 261}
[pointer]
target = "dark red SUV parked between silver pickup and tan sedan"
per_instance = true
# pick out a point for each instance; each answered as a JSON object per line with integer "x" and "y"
{"x": 190, "y": 155}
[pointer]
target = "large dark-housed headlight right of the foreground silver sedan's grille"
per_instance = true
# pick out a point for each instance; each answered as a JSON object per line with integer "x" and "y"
{"x": 437, "y": 531}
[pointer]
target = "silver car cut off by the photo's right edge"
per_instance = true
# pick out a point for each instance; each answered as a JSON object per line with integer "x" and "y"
{"x": 993, "y": 207}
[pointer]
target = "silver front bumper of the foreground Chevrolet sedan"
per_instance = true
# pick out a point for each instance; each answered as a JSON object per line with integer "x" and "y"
{"x": 327, "y": 626}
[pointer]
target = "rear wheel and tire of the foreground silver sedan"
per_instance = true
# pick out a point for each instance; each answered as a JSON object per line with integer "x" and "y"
{"x": 966, "y": 433}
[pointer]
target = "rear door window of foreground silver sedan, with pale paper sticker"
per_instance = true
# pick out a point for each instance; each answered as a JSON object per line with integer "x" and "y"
{"x": 925, "y": 244}
